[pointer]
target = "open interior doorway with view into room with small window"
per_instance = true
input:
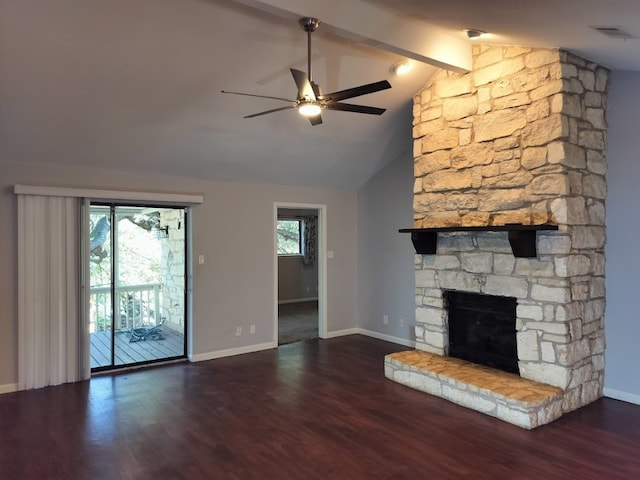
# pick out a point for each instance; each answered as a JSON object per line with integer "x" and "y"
{"x": 300, "y": 307}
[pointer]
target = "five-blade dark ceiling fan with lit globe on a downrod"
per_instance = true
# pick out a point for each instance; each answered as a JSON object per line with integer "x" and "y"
{"x": 310, "y": 101}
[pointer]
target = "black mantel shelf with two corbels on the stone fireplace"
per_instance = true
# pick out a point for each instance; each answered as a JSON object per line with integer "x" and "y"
{"x": 521, "y": 237}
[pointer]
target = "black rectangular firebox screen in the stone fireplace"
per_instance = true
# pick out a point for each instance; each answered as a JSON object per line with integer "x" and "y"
{"x": 482, "y": 329}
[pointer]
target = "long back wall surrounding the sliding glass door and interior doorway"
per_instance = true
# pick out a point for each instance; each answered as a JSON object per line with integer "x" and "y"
{"x": 233, "y": 228}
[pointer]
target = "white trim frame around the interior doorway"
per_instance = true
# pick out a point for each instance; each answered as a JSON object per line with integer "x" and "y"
{"x": 322, "y": 265}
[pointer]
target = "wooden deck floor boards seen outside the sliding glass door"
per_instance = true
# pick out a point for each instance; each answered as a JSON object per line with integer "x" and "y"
{"x": 172, "y": 345}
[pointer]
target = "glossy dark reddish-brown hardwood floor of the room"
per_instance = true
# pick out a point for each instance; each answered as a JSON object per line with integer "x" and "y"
{"x": 318, "y": 409}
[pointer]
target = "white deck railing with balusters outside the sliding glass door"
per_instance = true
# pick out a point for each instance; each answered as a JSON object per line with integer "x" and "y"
{"x": 137, "y": 306}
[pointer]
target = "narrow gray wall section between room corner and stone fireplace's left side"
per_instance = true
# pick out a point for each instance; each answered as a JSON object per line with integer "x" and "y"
{"x": 386, "y": 279}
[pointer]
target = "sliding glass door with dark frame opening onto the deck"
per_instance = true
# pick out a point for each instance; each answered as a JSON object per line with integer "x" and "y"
{"x": 138, "y": 271}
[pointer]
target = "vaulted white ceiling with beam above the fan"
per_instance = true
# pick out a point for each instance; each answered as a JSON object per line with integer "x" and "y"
{"x": 135, "y": 84}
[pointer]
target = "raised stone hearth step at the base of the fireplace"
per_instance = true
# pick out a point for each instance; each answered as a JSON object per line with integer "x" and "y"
{"x": 506, "y": 396}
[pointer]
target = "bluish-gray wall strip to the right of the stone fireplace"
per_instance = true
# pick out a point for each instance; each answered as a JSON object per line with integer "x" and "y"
{"x": 622, "y": 319}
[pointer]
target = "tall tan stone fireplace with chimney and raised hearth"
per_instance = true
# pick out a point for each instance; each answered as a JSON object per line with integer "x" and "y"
{"x": 521, "y": 139}
